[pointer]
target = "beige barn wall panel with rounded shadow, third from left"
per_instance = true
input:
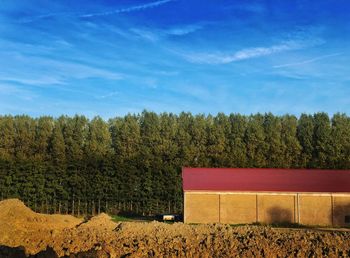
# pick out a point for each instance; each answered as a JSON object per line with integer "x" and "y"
{"x": 276, "y": 208}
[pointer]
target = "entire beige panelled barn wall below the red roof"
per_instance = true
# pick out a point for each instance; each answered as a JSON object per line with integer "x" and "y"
{"x": 240, "y": 208}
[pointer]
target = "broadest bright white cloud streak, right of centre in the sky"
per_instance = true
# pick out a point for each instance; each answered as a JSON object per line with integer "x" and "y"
{"x": 249, "y": 53}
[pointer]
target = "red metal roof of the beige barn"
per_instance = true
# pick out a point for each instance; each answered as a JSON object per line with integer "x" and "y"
{"x": 266, "y": 179}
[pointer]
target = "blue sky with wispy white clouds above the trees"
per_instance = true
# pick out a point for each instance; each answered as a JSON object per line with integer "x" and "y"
{"x": 110, "y": 58}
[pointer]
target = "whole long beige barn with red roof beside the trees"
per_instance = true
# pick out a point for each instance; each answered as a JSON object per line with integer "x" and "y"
{"x": 248, "y": 195}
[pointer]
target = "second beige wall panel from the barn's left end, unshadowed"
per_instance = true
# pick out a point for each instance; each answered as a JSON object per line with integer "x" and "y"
{"x": 237, "y": 208}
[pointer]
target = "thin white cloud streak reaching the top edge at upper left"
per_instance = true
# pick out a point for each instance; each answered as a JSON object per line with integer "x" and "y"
{"x": 133, "y": 8}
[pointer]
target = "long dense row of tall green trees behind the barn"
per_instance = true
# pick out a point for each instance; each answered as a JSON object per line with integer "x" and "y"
{"x": 133, "y": 163}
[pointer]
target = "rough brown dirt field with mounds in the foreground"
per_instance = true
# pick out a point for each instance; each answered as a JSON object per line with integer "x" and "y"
{"x": 24, "y": 233}
